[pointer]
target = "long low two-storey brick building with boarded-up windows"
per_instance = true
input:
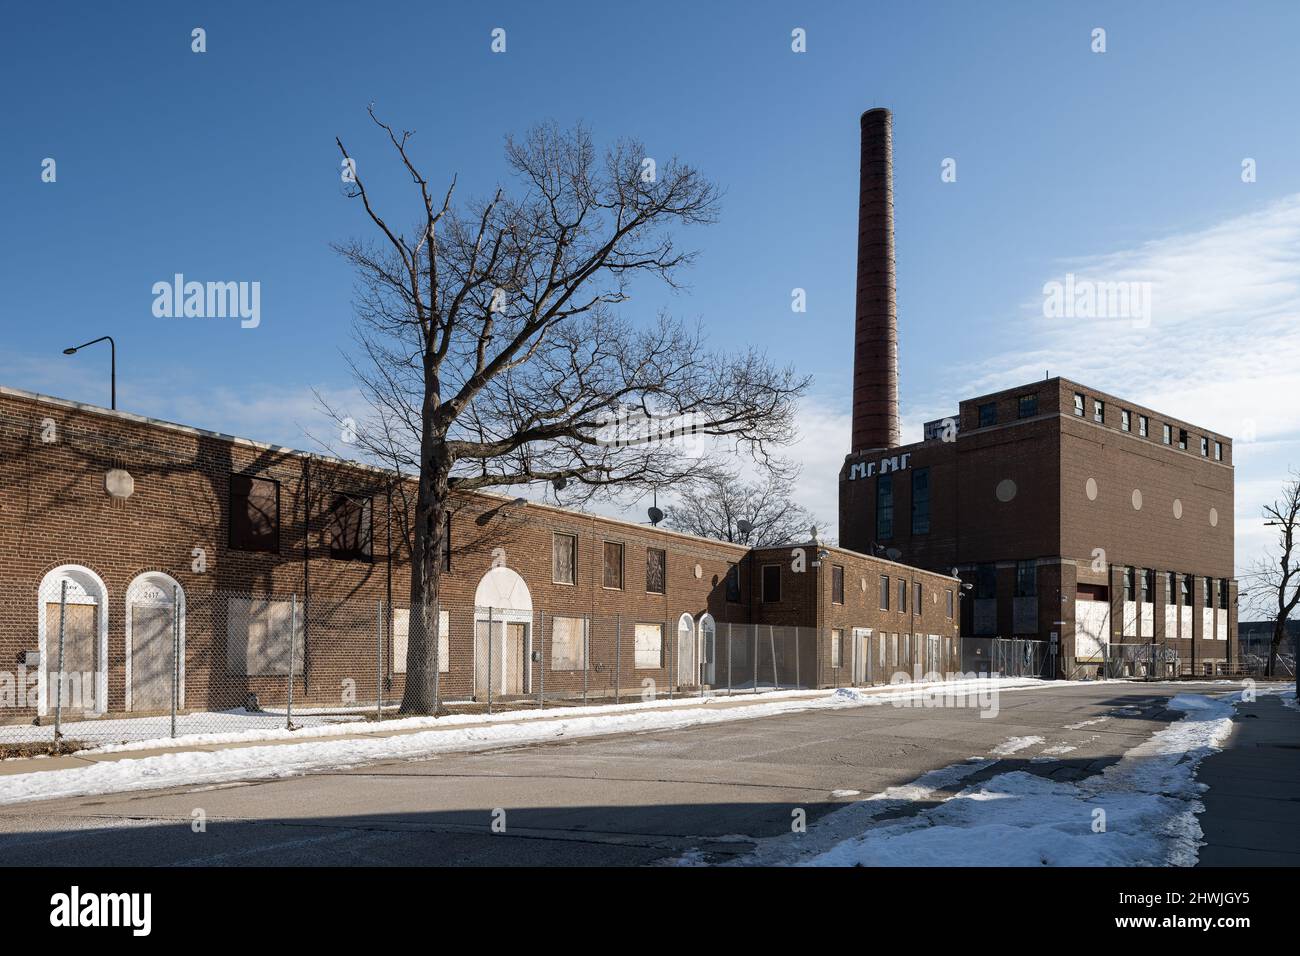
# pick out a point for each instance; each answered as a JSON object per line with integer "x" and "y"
{"x": 171, "y": 537}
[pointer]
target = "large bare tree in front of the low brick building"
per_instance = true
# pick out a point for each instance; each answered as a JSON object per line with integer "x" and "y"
{"x": 493, "y": 354}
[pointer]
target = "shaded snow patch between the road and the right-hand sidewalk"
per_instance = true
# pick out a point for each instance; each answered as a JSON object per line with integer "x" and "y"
{"x": 1147, "y": 802}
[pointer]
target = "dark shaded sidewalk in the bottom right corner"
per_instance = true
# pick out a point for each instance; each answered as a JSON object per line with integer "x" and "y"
{"x": 1253, "y": 808}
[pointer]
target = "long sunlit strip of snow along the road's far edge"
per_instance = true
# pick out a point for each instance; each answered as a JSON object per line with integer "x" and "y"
{"x": 458, "y": 734}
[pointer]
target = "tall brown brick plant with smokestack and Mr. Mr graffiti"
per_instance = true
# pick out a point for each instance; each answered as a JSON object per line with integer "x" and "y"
{"x": 1073, "y": 517}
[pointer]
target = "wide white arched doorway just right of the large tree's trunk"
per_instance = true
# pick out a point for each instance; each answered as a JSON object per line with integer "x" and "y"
{"x": 504, "y": 635}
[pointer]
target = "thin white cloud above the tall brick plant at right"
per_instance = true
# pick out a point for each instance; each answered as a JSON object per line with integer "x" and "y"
{"x": 1223, "y": 348}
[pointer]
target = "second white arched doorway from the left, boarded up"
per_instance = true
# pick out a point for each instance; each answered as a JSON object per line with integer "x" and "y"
{"x": 155, "y": 630}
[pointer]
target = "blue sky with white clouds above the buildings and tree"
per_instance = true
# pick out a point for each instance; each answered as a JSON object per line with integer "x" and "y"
{"x": 223, "y": 167}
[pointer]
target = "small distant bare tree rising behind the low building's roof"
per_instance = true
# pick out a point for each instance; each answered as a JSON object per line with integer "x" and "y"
{"x": 718, "y": 507}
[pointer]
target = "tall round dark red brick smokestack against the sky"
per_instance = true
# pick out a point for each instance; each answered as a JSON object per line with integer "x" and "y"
{"x": 876, "y": 343}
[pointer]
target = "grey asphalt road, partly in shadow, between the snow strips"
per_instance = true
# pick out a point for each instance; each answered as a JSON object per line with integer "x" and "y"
{"x": 714, "y": 791}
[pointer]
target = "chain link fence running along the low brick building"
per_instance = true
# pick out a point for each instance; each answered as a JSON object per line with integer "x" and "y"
{"x": 266, "y": 665}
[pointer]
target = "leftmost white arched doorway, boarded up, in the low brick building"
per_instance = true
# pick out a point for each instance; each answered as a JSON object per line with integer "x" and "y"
{"x": 83, "y": 686}
